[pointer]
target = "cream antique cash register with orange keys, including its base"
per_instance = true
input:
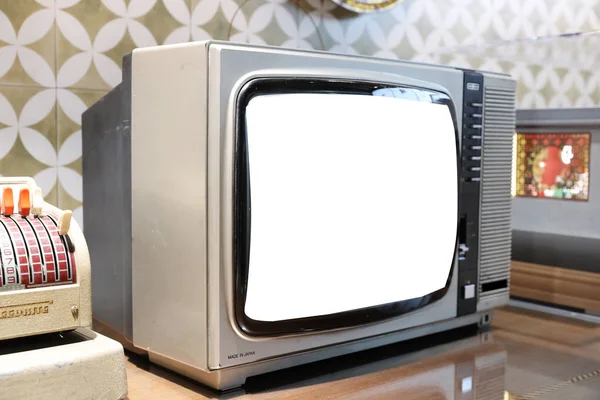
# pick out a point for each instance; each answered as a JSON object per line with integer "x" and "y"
{"x": 47, "y": 346}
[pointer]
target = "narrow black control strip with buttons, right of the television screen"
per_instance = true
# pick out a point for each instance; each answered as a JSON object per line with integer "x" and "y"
{"x": 470, "y": 185}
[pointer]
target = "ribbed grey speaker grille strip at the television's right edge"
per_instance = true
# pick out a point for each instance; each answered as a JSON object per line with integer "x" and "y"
{"x": 496, "y": 202}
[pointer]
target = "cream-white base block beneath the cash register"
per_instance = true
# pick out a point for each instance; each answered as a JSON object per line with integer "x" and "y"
{"x": 75, "y": 365}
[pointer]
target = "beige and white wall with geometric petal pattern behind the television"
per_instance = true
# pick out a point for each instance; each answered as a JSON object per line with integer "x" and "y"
{"x": 57, "y": 57}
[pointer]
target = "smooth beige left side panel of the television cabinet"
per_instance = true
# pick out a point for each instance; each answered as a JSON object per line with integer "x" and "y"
{"x": 169, "y": 169}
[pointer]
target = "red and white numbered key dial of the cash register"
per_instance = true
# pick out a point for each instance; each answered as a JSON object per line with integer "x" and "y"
{"x": 32, "y": 252}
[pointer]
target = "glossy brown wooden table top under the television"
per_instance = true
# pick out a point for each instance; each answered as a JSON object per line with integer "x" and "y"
{"x": 523, "y": 353}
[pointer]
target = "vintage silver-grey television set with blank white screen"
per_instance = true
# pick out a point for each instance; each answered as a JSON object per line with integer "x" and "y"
{"x": 253, "y": 208}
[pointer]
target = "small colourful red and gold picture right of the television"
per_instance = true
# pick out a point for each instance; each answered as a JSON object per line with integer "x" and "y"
{"x": 552, "y": 165}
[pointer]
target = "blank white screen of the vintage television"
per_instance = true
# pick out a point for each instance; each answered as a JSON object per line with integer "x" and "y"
{"x": 354, "y": 202}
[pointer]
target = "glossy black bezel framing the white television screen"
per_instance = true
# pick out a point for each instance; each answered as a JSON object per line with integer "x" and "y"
{"x": 242, "y": 209}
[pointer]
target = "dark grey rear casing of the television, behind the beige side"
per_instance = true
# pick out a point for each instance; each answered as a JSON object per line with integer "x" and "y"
{"x": 106, "y": 159}
